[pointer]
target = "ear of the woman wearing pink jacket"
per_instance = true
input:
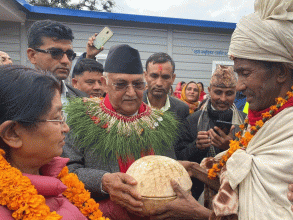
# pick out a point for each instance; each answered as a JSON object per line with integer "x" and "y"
{"x": 9, "y": 132}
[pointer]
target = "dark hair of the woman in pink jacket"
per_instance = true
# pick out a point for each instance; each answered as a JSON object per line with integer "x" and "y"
{"x": 26, "y": 94}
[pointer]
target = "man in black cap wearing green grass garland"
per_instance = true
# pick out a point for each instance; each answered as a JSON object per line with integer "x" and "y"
{"x": 113, "y": 132}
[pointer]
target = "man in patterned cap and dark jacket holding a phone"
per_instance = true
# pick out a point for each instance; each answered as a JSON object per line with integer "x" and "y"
{"x": 200, "y": 137}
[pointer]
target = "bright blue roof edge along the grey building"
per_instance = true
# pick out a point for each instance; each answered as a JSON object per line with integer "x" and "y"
{"x": 125, "y": 17}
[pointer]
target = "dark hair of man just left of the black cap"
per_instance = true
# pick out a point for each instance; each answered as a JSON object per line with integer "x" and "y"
{"x": 87, "y": 65}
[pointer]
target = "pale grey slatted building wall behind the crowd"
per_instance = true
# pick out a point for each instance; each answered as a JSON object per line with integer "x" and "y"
{"x": 193, "y": 52}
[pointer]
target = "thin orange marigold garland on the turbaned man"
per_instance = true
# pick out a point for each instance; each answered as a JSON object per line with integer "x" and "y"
{"x": 242, "y": 139}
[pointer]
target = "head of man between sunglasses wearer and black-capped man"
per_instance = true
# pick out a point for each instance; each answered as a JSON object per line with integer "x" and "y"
{"x": 86, "y": 77}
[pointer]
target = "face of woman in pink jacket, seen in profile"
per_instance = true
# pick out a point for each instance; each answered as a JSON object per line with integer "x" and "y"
{"x": 45, "y": 142}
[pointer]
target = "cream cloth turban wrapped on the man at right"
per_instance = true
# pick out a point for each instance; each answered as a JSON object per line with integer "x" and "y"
{"x": 265, "y": 35}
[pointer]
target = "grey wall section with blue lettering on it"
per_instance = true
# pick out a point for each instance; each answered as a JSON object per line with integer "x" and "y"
{"x": 194, "y": 54}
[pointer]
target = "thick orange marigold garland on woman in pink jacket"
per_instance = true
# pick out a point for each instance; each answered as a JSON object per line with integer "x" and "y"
{"x": 20, "y": 196}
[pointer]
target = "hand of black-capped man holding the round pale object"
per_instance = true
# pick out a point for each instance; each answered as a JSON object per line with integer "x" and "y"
{"x": 121, "y": 188}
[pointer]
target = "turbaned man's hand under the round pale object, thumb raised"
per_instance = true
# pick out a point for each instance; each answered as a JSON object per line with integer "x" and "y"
{"x": 183, "y": 207}
